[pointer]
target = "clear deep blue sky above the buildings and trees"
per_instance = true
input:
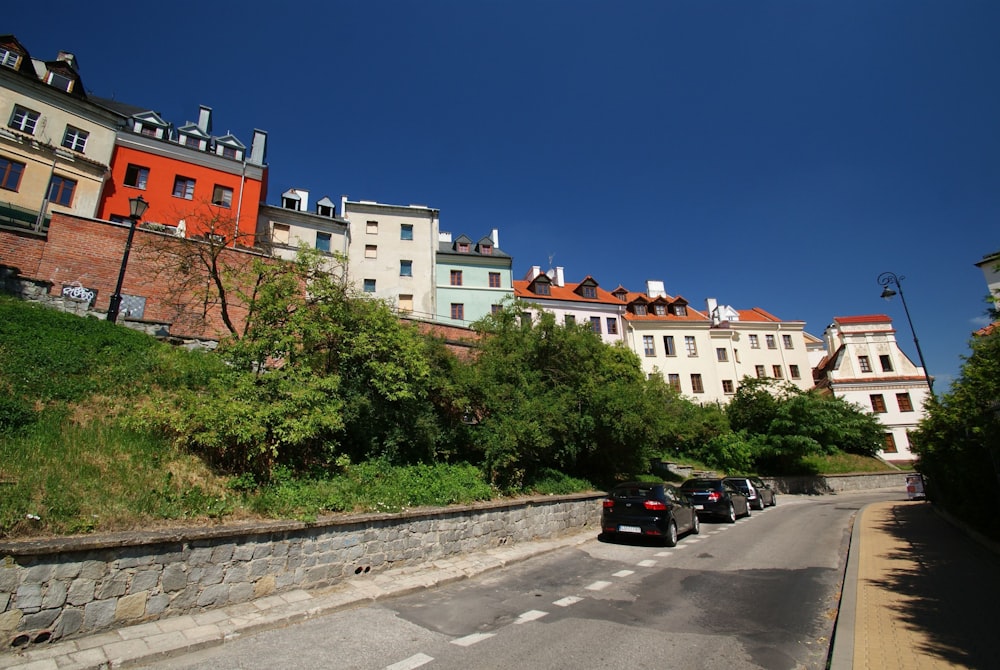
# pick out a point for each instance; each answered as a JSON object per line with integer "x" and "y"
{"x": 771, "y": 154}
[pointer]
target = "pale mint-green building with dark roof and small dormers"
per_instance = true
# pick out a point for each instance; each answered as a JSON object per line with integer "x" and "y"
{"x": 473, "y": 278}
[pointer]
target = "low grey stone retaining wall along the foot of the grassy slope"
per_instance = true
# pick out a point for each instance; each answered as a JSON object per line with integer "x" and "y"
{"x": 51, "y": 589}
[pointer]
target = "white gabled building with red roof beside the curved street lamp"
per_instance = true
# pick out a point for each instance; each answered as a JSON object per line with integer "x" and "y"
{"x": 865, "y": 366}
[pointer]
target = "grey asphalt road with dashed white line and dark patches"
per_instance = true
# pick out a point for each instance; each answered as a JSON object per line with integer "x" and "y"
{"x": 760, "y": 593}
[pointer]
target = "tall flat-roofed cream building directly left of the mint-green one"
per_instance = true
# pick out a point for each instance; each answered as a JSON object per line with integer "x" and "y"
{"x": 391, "y": 253}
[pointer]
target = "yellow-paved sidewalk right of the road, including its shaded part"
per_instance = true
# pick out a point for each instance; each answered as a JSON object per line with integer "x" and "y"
{"x": 919, "y": 593}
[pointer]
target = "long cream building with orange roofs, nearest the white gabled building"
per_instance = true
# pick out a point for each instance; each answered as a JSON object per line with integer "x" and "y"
{"x": 705, "y": 354}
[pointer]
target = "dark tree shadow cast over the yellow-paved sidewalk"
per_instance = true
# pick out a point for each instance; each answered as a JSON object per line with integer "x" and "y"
{"x": 953, "y": 595}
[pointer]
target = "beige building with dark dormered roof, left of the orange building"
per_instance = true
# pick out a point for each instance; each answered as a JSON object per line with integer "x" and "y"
{"x": 56, "y": 144}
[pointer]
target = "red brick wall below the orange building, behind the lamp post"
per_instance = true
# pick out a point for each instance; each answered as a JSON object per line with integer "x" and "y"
{"x": 89, "y": 251}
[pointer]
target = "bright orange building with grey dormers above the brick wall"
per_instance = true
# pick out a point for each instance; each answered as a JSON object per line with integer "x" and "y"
{"x": 195, "y": 183}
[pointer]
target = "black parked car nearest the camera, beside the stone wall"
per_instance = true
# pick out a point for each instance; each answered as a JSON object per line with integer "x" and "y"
{"x": 648, "y": 509}
